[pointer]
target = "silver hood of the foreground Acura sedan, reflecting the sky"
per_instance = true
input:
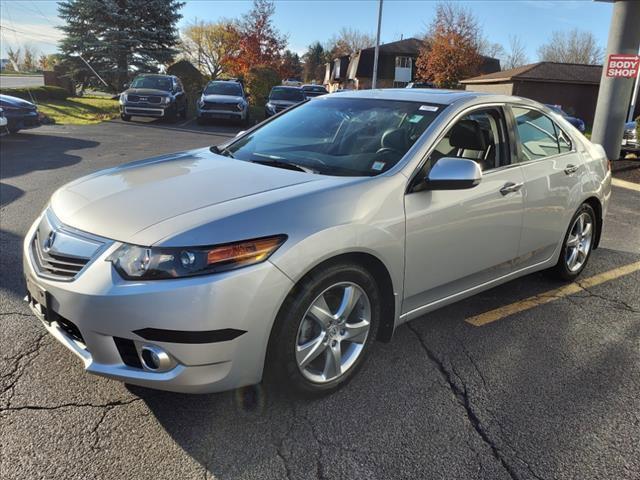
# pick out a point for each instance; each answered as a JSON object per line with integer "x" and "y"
{"x": 120, "y": 202}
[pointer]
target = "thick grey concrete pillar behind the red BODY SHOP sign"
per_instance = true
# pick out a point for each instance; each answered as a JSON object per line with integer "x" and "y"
{"x": 614, "y": 94}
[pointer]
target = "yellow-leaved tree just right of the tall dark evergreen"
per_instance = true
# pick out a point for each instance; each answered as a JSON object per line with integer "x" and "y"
{"x": 212, "y": 47}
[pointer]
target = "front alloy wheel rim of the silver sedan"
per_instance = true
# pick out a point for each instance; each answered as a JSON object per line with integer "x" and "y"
{"x": 333, "y": 332}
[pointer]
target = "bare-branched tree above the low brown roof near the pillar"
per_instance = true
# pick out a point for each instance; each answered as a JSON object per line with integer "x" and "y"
{"x": 574, "y": 46}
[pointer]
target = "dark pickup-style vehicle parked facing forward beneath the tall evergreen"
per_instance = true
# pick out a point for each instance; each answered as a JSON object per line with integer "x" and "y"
{"x": 151, "y": 95}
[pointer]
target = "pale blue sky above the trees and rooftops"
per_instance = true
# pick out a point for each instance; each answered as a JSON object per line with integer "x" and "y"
{"x": 304, "y": 22}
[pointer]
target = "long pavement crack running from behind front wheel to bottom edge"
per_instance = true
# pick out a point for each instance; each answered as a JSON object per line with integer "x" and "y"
{"x": 462, "y": 397}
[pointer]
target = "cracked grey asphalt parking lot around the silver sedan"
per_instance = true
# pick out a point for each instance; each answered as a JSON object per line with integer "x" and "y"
{"x": 543, "y": 389}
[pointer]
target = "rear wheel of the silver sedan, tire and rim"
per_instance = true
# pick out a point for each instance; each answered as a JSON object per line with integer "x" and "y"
{"x": 565, "y": 269}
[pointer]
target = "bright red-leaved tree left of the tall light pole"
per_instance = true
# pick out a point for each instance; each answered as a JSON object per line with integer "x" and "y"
{"x": 260, "y": 43}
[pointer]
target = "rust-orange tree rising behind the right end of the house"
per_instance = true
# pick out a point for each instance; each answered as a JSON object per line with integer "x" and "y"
{"x": 450, "y": 52}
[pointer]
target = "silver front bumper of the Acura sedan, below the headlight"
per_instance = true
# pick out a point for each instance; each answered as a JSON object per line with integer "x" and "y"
{"x": 214, "y": 328}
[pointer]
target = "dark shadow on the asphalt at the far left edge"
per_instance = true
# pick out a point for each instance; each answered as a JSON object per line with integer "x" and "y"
{"x": 25, "y": 152}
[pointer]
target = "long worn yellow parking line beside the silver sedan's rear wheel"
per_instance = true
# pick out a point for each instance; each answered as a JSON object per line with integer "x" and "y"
{"x": 550, "y": 296}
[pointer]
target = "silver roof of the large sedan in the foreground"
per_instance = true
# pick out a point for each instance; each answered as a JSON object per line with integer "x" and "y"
{"x": 427, "y": 95}
